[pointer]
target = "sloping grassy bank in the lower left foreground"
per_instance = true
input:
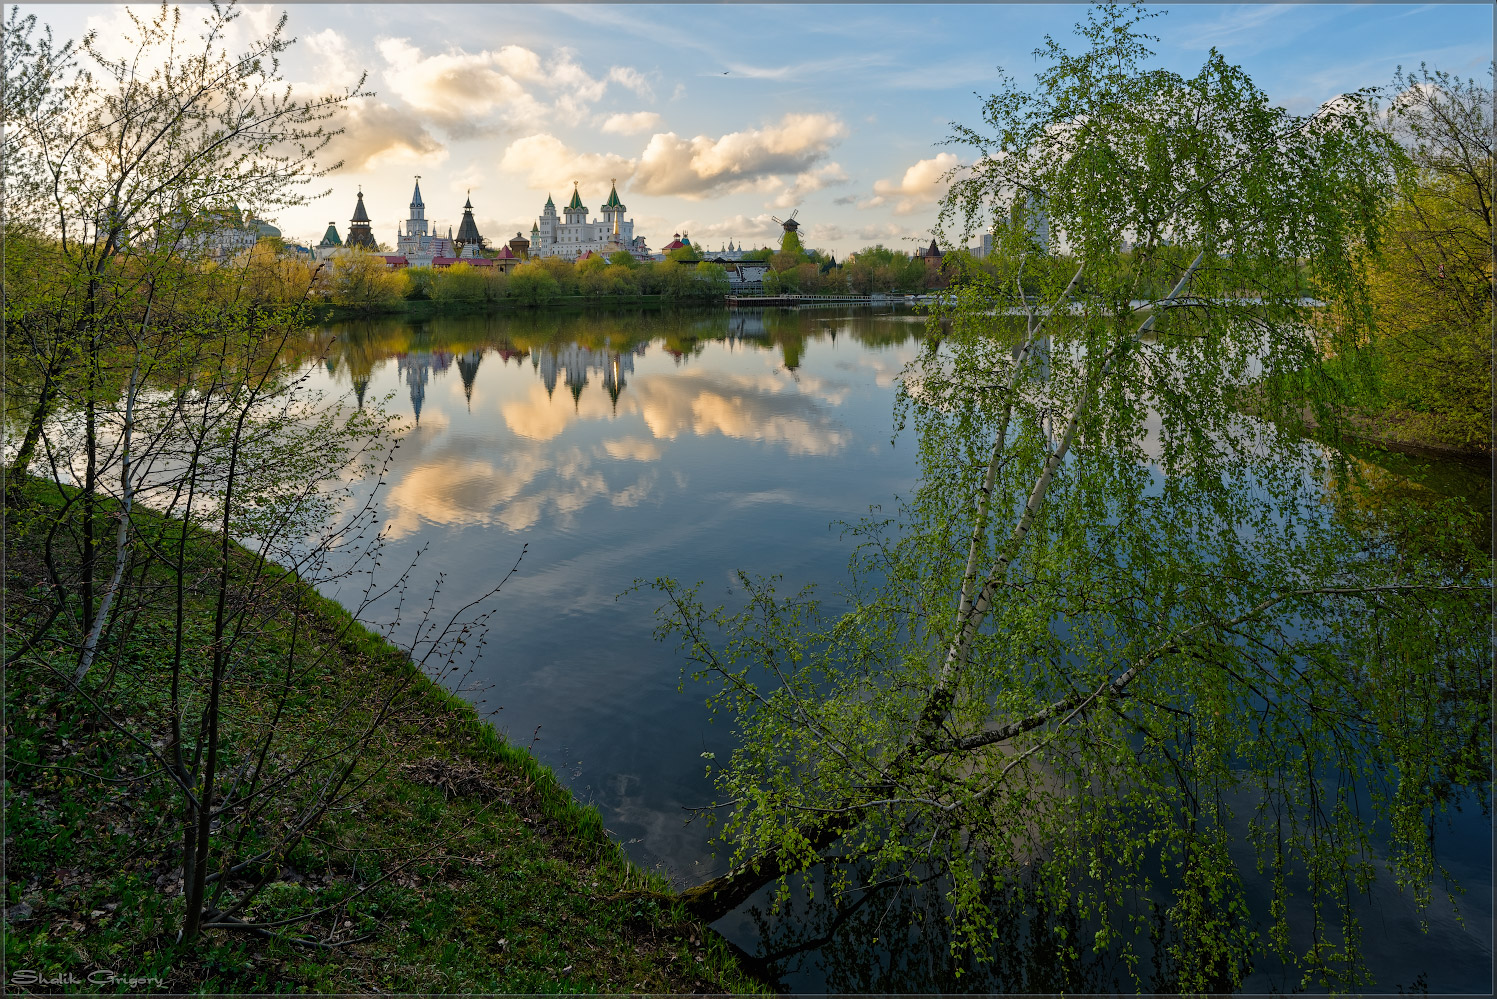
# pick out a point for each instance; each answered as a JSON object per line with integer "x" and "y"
{"x": 459, "y": 866}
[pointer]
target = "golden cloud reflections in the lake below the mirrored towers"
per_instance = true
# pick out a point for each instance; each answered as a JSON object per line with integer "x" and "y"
{"x": 460, "y": 479}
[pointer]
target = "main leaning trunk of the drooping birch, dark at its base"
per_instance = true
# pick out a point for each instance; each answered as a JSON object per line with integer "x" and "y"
{"x": 722, "y": 895}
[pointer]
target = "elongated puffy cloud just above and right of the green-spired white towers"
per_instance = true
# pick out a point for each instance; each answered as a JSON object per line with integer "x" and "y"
{"x": 740, "y": 161}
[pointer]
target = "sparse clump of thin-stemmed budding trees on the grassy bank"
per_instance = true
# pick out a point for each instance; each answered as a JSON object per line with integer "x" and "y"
{"x": 179, "y": 419}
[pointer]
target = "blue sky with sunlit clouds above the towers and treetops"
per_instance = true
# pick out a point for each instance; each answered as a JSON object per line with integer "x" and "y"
{"x": 718, "y": 119}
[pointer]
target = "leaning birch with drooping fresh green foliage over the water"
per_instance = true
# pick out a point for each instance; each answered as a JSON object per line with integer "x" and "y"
{"x": 1118, "y": 634}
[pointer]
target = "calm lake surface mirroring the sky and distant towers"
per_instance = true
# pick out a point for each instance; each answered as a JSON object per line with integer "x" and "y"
{"x": 619, "y": 447}
